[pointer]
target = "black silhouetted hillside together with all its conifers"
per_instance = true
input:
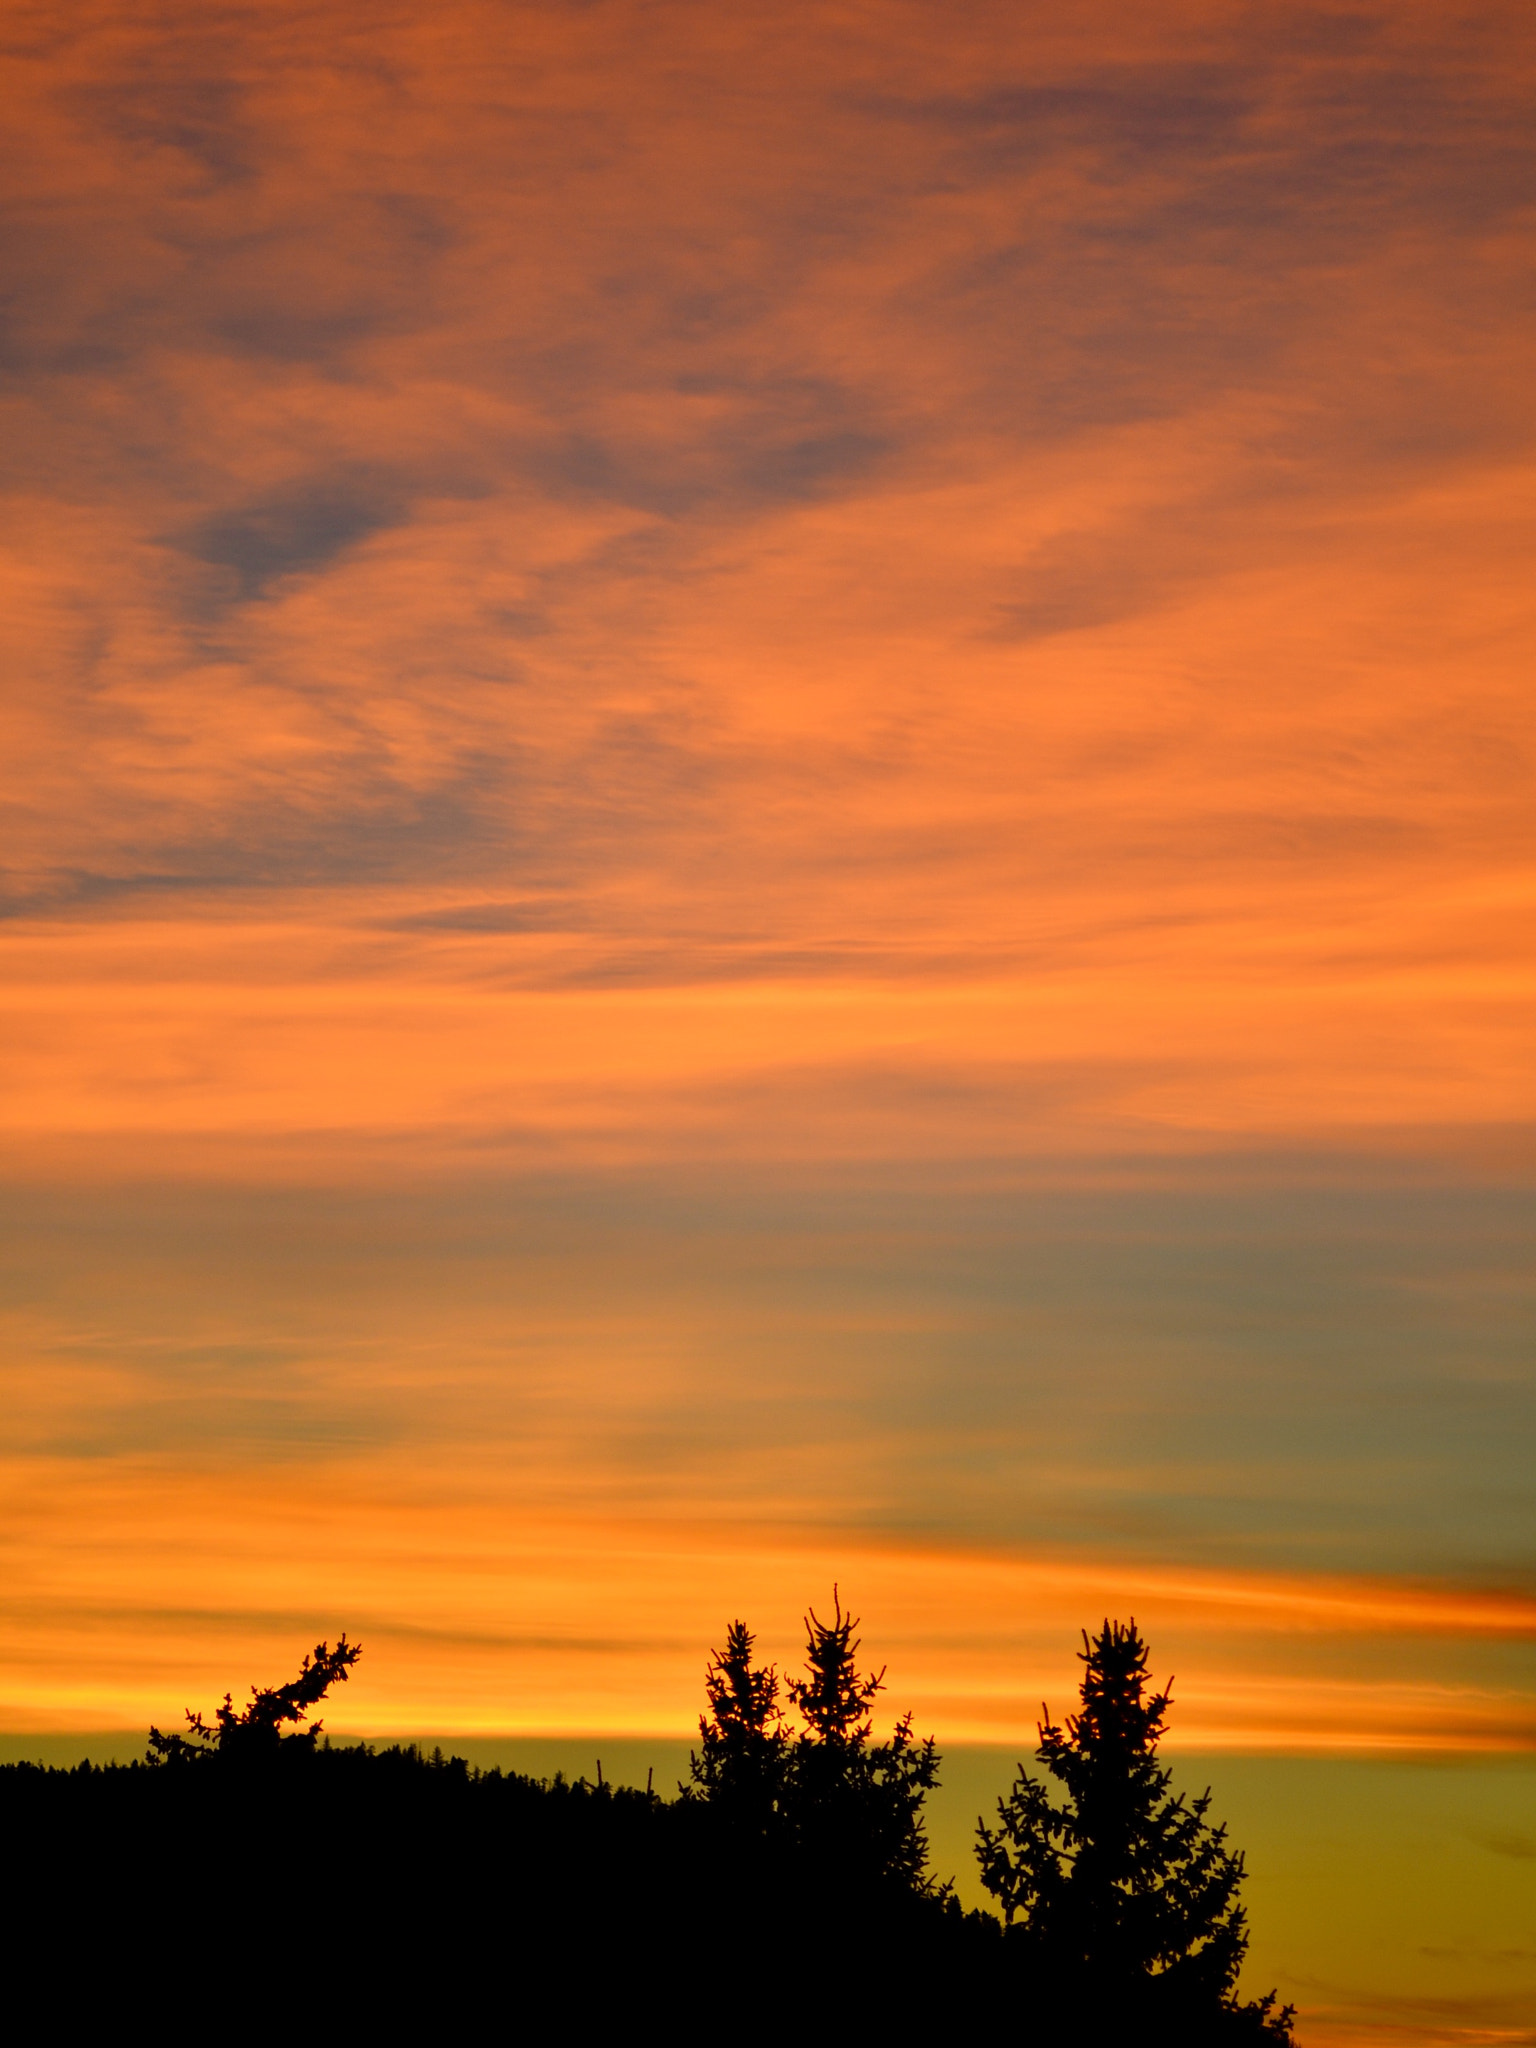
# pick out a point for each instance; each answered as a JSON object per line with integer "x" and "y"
{"x": 249, "y": 1875}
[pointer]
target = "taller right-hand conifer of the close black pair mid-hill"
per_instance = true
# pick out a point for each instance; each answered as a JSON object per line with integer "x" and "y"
{"x": 855, "y": 1805}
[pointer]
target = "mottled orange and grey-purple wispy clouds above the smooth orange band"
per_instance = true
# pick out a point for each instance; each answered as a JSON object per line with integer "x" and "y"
{"x": 785, "y": 390}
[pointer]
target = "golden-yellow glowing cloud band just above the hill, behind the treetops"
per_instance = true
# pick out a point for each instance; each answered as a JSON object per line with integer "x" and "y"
{"x": 130, "y": 1590}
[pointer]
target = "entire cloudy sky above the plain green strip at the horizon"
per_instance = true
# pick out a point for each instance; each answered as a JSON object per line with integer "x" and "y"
{"x": 769, "y": 822}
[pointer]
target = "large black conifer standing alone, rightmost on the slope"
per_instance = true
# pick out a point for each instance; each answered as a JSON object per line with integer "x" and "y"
{"x": 1123, "y": 1887}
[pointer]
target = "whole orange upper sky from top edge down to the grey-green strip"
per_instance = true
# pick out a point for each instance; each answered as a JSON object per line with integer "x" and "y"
{"x": 577, "y": 568}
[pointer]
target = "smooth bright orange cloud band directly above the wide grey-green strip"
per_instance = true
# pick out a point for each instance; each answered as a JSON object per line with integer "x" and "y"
{"x": 181, "y": 1033}
